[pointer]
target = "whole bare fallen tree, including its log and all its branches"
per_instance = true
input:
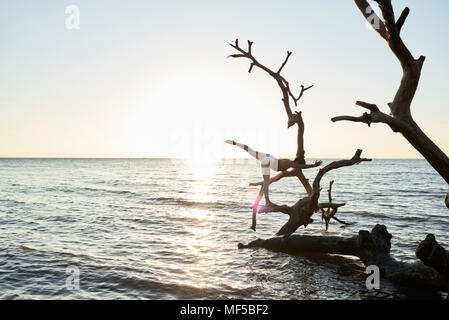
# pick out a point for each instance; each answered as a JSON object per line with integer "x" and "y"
{"x": 373, "y": 248}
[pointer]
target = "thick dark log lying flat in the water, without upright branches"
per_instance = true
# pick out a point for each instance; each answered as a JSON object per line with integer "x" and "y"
{"x": 373, "y": 248}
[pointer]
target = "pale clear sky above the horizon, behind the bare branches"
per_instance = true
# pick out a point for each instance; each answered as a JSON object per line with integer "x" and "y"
{"x": 151, "y": 78}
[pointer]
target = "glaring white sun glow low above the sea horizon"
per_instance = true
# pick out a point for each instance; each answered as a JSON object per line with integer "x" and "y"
{"x": 187, "y": 116}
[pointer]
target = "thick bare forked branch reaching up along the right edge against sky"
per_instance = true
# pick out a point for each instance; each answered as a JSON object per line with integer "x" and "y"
{"x": 399, "y": 118}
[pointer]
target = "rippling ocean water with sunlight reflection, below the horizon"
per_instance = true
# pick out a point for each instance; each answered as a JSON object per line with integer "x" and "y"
{"x": 169, "y": 229}
